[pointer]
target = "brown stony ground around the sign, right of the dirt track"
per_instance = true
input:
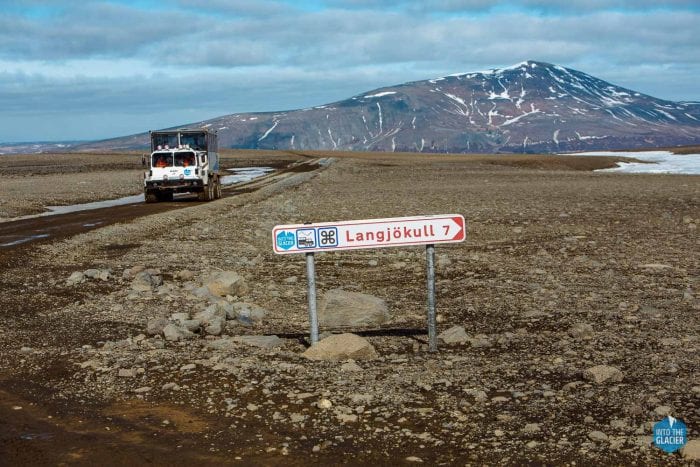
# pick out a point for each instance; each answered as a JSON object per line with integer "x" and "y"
{"x": 568, "y": 320}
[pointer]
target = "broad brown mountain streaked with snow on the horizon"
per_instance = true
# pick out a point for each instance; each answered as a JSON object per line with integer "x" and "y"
{"x": 529, "y": 107}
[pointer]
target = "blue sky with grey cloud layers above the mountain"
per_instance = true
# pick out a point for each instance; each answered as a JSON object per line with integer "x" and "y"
{"x": 80, "y": 69}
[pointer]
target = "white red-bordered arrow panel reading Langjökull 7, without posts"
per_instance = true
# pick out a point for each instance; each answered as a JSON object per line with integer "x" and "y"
{"x": 369, "y": 233}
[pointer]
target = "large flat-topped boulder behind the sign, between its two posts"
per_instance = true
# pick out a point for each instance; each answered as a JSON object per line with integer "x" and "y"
{"x": 340, "y": 309}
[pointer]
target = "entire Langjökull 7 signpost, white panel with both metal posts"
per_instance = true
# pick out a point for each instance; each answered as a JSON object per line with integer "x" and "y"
{"x": 370, "y": 233}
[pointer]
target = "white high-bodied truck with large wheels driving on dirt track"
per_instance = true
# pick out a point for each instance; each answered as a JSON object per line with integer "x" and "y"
{"x": 185, "y": 160}
